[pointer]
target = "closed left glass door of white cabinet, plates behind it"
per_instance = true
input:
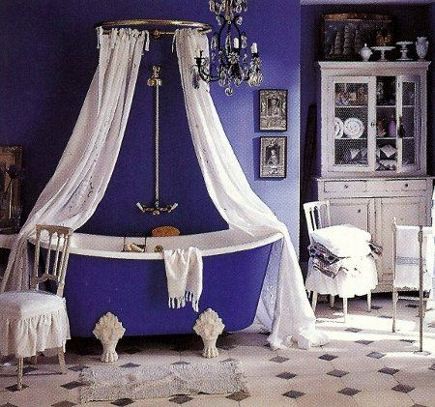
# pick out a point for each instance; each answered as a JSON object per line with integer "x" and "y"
{"x": 351, "y": 123}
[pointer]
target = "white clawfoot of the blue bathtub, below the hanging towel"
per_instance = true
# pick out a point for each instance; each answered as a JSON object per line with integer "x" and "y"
{"x": 209, "y": 326}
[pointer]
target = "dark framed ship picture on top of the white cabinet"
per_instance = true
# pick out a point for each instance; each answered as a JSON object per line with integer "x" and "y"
{"x": 344, "y": 34}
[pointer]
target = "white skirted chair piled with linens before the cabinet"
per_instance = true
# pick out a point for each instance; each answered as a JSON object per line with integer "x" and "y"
{"x": 341, "y": 261}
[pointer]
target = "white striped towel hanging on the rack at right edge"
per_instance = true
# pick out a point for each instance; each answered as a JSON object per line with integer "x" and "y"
{"x": 408, "y": 257}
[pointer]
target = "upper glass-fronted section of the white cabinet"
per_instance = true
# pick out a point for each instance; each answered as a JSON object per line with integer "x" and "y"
{"x": 373, "y": 118}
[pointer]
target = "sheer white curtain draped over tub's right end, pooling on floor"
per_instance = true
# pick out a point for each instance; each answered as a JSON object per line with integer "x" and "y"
{"x": 284, "y": 306}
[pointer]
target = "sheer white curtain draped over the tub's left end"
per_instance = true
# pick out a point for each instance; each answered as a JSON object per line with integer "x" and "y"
{"x": 83, "y": 173}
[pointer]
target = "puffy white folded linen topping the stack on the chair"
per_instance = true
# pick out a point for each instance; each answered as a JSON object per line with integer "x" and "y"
{"x": 344, "y": 240}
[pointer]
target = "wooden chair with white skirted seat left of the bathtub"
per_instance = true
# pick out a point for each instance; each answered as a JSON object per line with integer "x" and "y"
{"x": 33, "y": 321}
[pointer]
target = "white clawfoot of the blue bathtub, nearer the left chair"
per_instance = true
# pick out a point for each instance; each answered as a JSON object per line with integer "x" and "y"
{"x": 109, "y": 331}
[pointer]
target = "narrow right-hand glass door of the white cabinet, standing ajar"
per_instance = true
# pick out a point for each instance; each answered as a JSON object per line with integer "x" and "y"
{"x": 408, "y": 123}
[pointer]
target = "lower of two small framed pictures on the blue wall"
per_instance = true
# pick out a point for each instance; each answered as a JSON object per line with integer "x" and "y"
{"x": 273, "y": 157}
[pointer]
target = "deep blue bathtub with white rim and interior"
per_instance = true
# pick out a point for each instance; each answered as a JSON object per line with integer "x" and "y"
{"x": 102, "y": 278}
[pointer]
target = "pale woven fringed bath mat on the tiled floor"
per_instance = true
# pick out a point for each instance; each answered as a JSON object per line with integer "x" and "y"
{"x": 153, "y": 381}
